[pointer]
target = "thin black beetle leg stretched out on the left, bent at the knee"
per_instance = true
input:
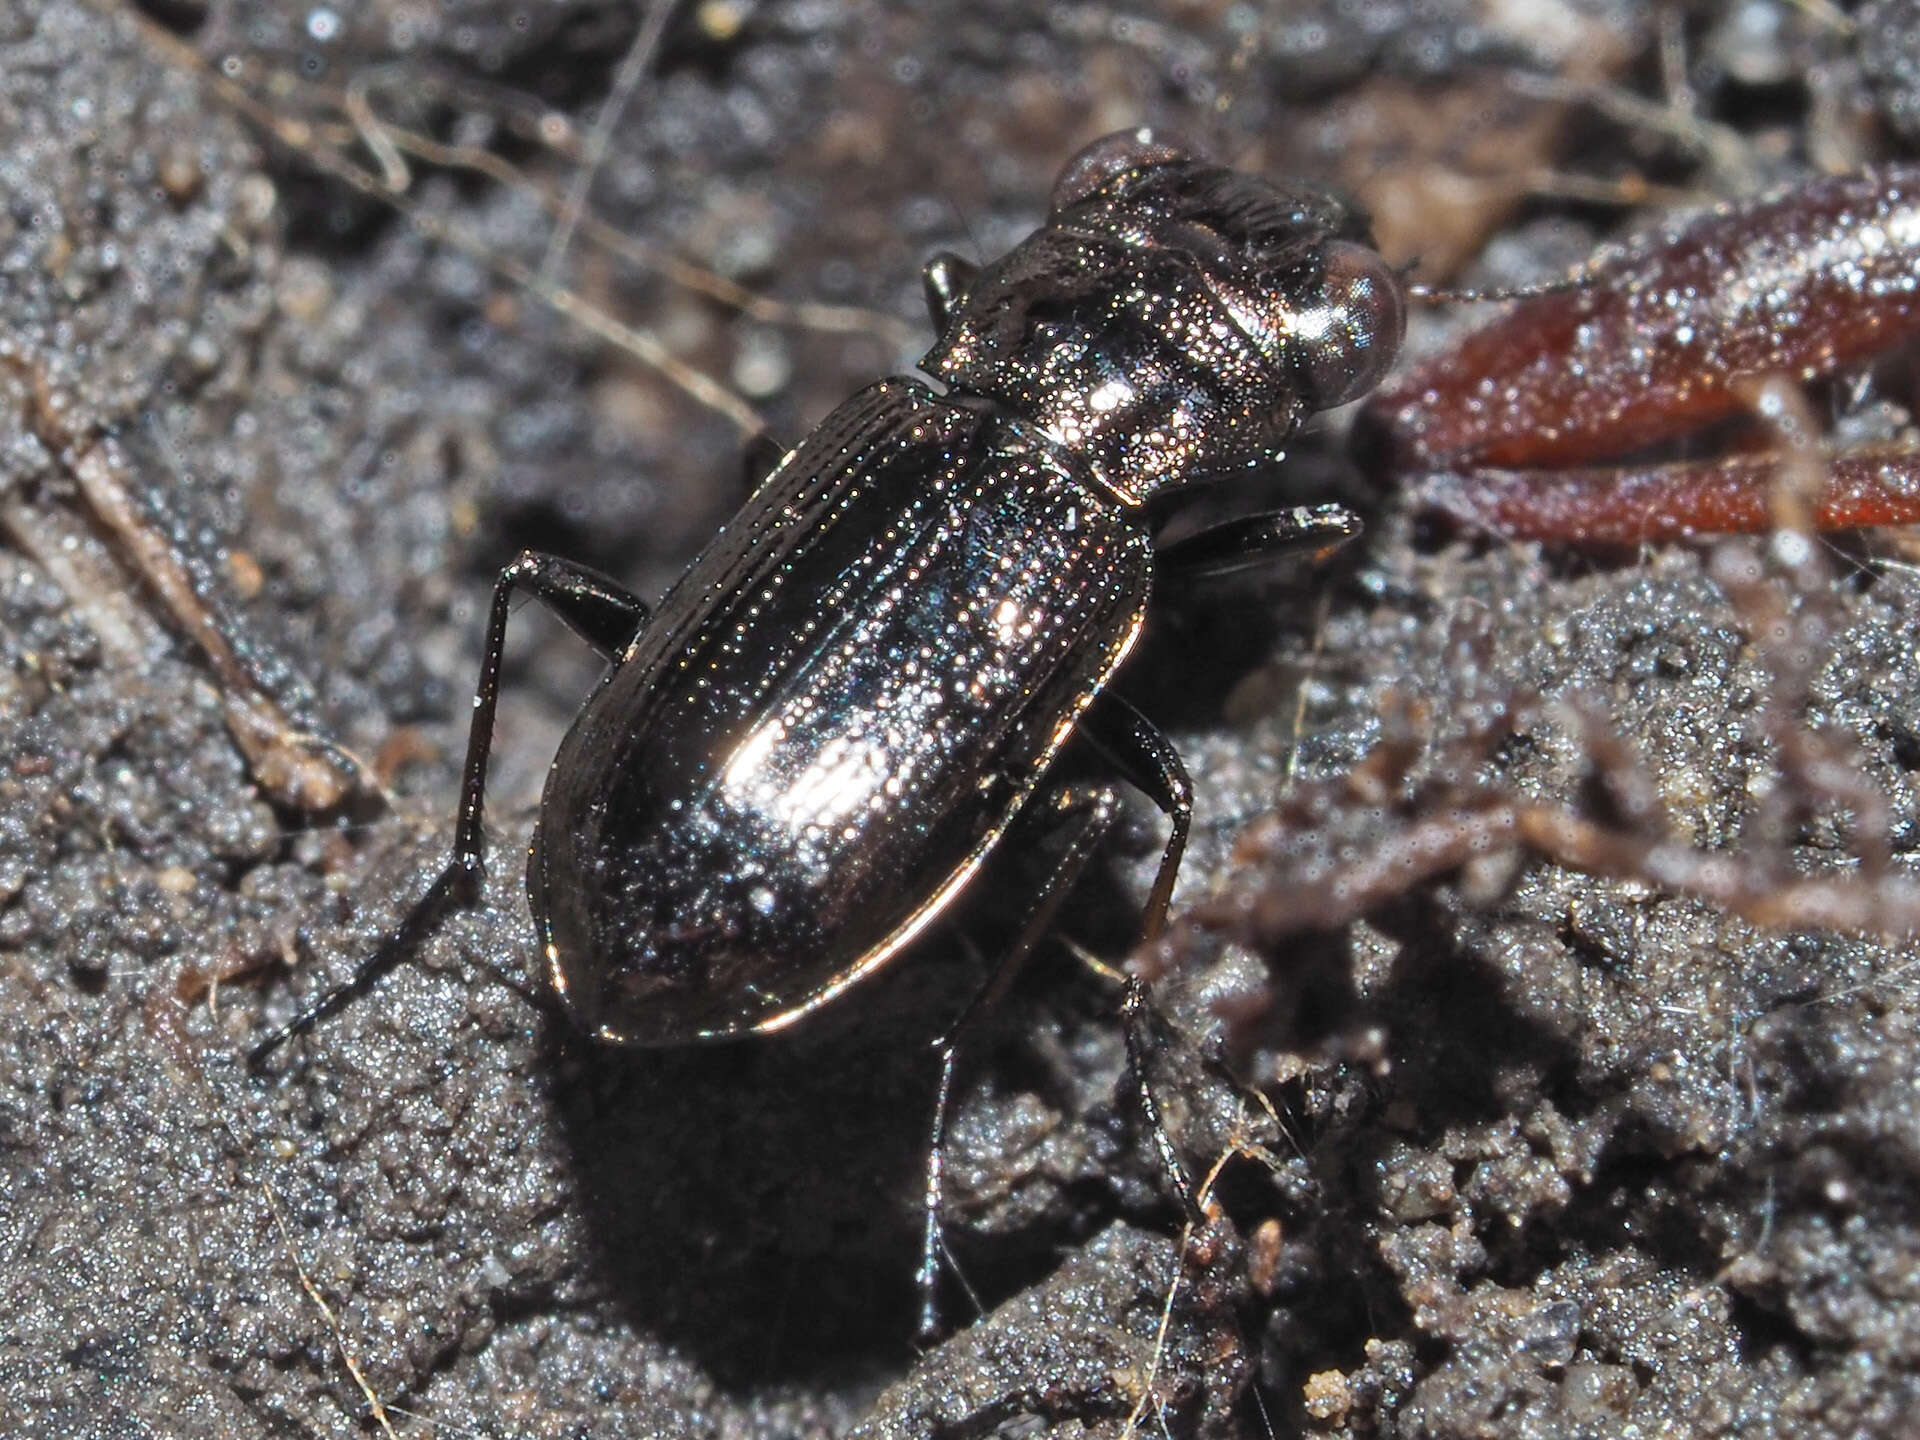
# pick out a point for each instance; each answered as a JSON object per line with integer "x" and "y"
{"x": 596, "y": 610}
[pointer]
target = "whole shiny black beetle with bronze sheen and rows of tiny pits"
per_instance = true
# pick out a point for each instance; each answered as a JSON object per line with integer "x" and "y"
{"x": 863, "y": 681}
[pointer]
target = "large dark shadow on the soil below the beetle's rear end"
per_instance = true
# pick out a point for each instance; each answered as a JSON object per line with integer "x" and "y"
{"x": 759, "y": 1201}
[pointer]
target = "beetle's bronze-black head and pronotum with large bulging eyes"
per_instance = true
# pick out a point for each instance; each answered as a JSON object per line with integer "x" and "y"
{"x": 1174, "y": 318}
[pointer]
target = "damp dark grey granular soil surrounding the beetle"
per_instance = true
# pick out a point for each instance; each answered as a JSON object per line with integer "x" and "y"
{"x": 1548, "y": 1157}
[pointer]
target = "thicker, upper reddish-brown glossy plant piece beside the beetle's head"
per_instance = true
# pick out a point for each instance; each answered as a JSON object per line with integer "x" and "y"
{"x": 1798, "y": 283}
